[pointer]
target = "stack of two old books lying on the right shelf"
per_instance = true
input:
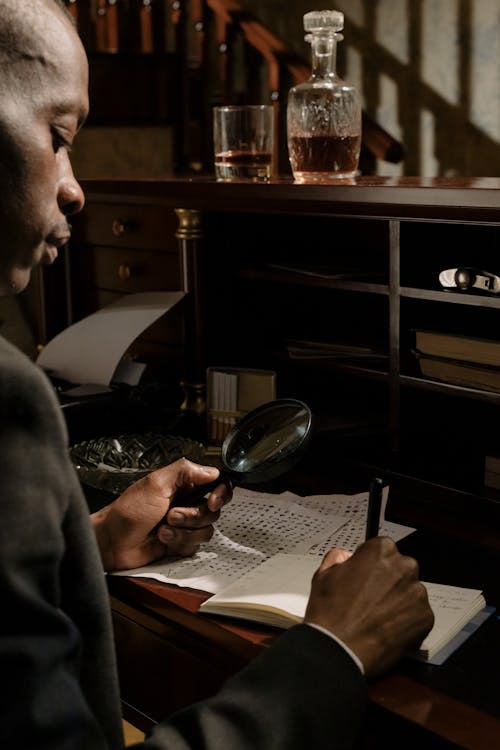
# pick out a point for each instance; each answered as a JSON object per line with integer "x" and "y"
{"x": 460, "y": 360}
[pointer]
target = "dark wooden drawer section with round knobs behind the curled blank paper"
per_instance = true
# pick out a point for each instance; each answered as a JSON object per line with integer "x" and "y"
{"x": 122, "y": 247}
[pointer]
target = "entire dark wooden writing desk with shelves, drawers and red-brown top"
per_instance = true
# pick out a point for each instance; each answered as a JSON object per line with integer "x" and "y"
{"x": 234, "y": 249}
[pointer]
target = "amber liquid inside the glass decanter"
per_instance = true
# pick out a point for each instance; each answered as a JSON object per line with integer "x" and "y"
{"x": 323, "y": 158}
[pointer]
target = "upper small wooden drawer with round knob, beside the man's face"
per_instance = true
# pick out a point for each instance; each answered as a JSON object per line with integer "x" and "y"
{"x": 124, "y": 225}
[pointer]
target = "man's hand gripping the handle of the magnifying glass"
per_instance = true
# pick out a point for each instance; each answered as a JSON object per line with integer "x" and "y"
{"x": 138, "y": 527}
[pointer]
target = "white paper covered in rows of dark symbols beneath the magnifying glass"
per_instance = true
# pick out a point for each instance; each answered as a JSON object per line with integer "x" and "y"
{"x": 255, "y": 525}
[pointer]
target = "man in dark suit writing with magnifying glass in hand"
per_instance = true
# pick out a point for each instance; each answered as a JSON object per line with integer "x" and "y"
{"x": 56, "y": 649}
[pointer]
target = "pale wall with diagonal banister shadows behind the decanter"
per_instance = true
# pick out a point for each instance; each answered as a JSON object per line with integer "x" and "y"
{"x": 436, "y": 120}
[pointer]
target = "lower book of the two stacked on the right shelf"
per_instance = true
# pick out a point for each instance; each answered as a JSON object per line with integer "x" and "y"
{"x": 460, "y": 373}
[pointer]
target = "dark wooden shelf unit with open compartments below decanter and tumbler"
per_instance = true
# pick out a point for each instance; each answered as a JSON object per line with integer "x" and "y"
{"x": 353, "y": 266}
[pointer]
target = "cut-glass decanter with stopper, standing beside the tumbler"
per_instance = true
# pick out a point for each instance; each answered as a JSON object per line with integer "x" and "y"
{"x": 323, "y": 113}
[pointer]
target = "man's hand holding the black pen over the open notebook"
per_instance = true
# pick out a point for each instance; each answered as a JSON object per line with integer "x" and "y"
{"x": 373, "y": 601}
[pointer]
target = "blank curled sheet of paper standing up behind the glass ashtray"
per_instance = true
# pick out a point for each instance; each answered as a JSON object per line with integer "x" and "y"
{"x": 90, "y": 350}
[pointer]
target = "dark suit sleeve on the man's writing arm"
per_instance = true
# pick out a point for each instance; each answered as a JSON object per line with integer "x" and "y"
{"x": 305, "y": 691}
